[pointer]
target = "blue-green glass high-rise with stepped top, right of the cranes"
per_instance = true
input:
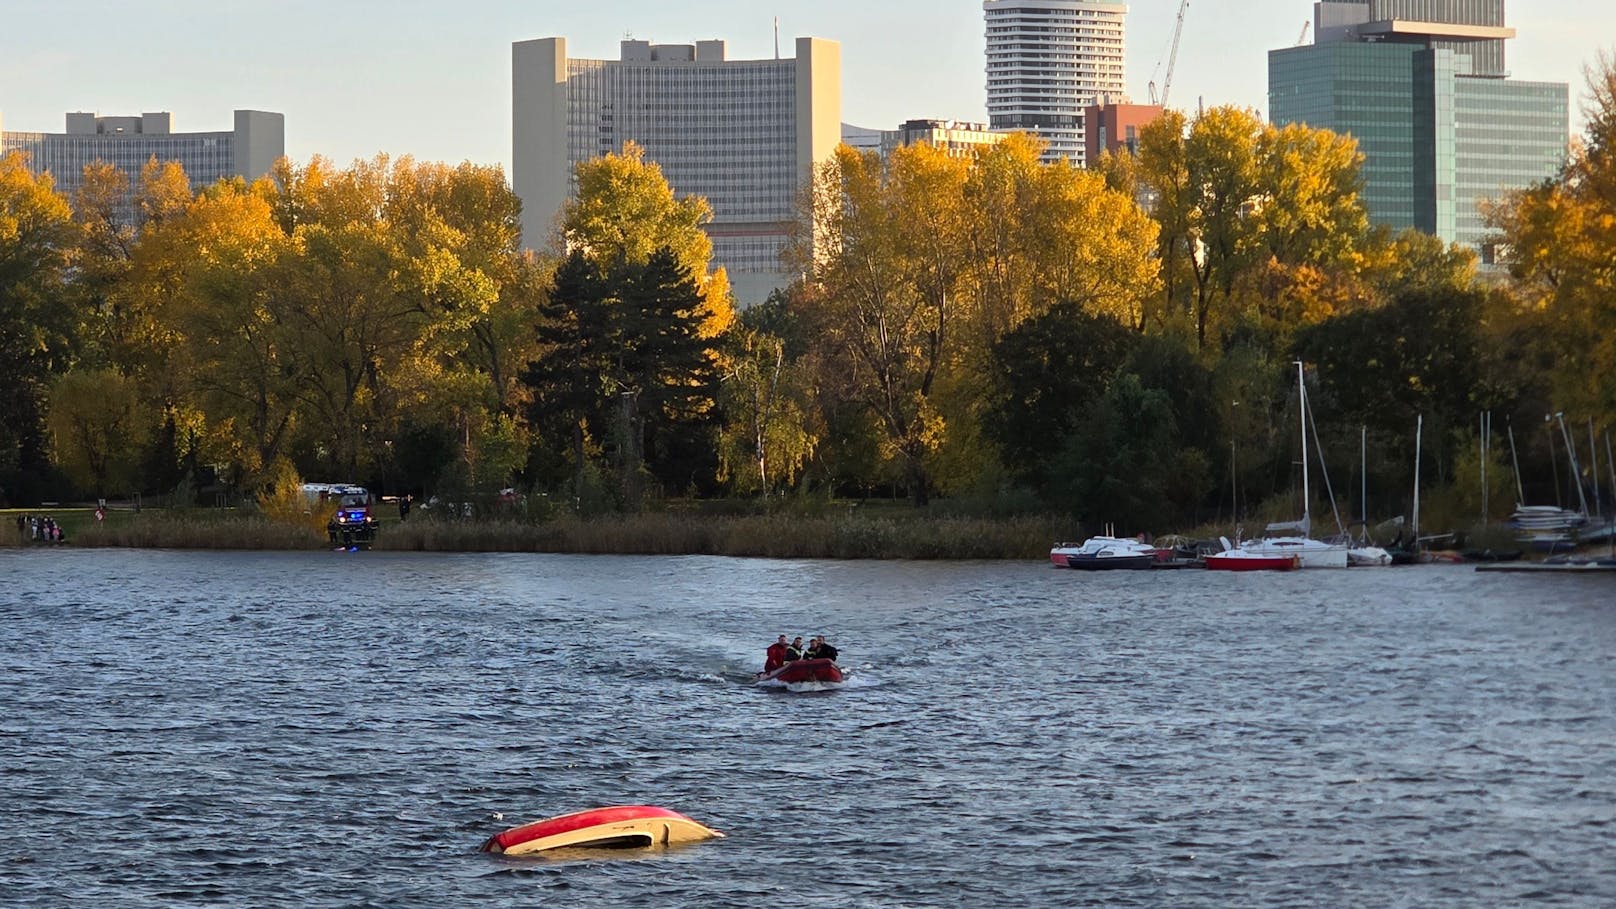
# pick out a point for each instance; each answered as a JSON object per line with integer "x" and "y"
{"x": 1425, "y": 90}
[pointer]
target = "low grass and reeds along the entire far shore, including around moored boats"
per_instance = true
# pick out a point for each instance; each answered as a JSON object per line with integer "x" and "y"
{"x": 831, "y": 531}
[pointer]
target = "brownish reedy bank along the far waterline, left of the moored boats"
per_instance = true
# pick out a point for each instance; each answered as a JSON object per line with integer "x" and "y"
{"x": 848, "y": 535}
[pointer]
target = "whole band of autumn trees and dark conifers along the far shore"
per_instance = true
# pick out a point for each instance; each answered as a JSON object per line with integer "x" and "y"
{"x": 1004, "y": 334}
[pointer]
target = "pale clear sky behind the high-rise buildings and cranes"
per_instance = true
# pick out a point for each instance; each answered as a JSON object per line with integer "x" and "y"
{"x": 432, "y": 80}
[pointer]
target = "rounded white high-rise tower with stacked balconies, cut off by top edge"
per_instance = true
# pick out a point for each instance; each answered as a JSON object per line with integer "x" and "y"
{"x": 1048, "y": 61}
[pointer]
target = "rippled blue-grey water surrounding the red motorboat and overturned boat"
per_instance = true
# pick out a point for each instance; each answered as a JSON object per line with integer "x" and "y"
{"x": 347, "y": 729}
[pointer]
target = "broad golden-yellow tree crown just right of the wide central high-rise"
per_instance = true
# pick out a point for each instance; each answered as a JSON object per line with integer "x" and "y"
{"x": 924, "y": 260}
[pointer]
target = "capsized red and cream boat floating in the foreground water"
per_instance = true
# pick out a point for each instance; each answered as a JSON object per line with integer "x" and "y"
{"x": 618, "y": 827}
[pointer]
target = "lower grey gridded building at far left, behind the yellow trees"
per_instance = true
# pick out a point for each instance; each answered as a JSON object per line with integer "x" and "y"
{"x": 128, "y": 143}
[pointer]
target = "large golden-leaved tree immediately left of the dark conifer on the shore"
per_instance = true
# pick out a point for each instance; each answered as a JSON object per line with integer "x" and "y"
{"x": 395, "y": 294}
